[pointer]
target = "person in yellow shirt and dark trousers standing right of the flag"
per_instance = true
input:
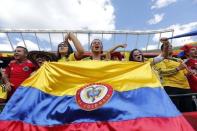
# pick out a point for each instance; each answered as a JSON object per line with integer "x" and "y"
{"x": 172, "y": 73}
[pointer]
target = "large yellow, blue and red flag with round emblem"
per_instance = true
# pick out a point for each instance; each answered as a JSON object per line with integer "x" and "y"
{"x": 92, "y": 96}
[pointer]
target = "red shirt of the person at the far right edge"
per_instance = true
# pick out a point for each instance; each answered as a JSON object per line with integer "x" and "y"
{"x": 192, "y": 64}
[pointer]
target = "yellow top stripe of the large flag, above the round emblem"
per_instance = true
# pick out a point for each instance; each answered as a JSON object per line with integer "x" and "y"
{"x": 66, "y": 78}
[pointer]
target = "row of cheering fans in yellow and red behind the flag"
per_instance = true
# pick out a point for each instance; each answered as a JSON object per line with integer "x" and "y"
{"x": 178, "y": 76}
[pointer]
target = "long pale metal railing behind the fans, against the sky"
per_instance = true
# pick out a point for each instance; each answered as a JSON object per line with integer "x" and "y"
{"x": 109, "y": 36}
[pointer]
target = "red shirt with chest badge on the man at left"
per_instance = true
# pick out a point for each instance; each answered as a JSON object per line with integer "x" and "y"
{"x": 18, "y": 72}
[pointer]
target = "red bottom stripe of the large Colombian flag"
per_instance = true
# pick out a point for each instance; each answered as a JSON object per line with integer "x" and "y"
{"x": 141, "y": 124}
